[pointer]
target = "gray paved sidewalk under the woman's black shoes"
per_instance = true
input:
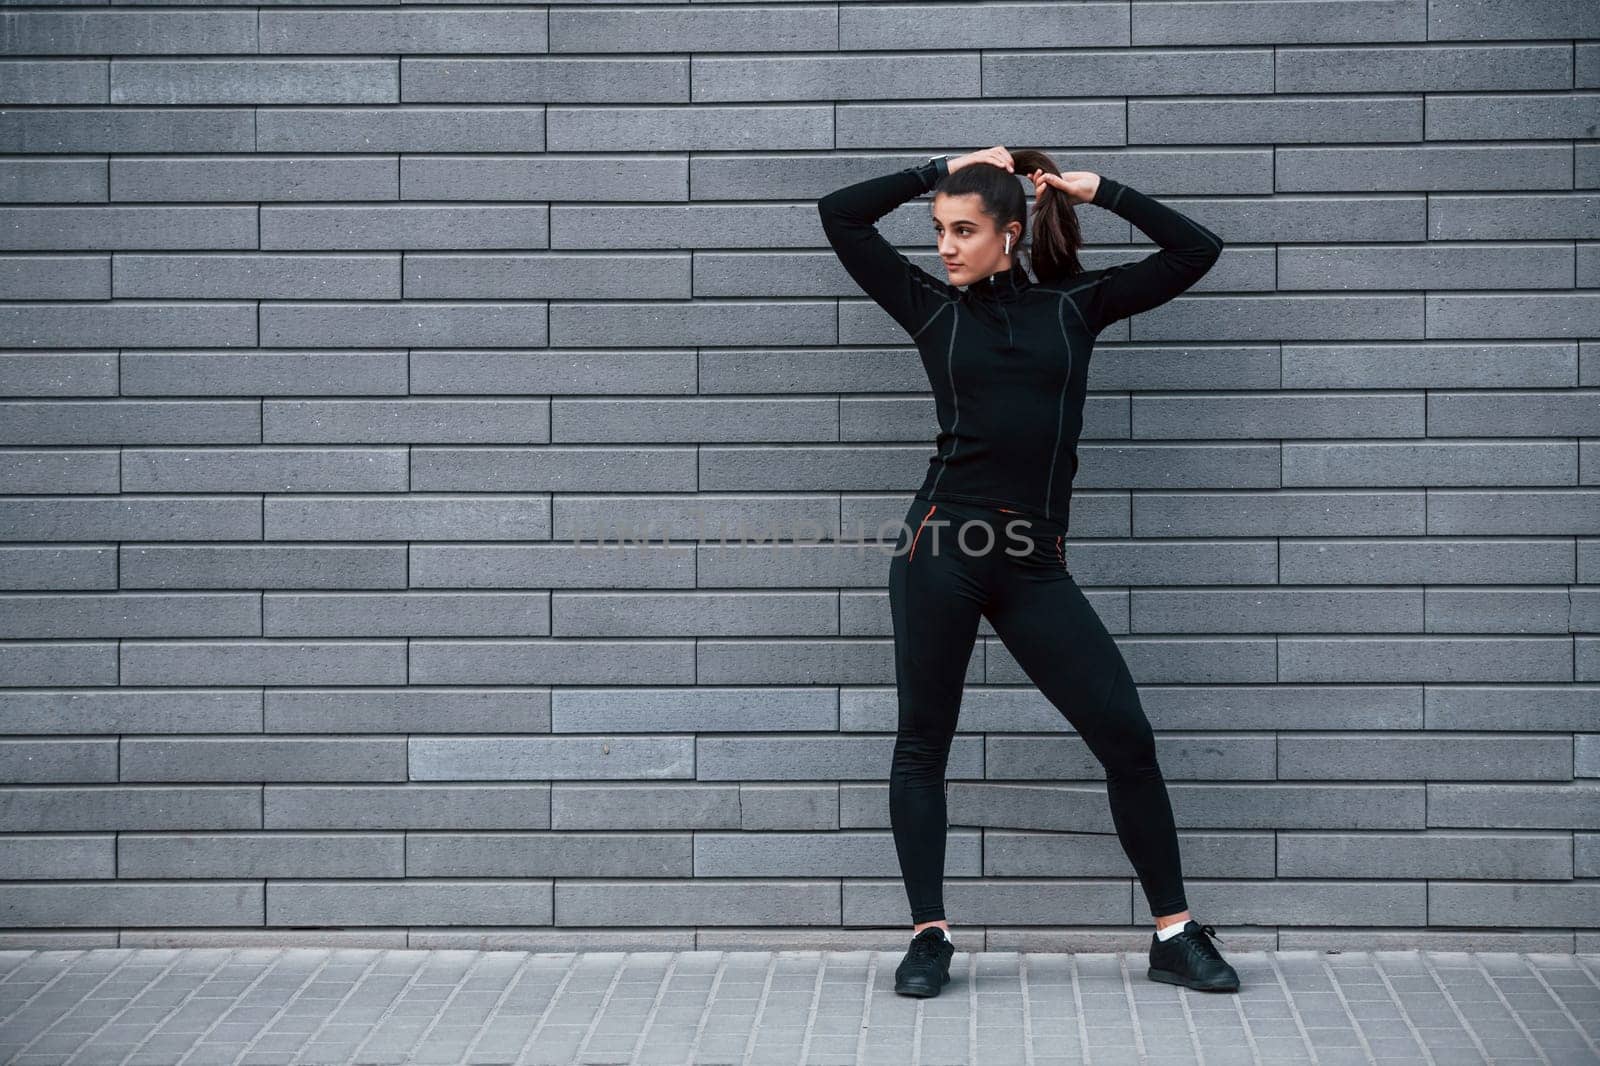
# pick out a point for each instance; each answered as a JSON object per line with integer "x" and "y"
{"x": 204, "y": 1006}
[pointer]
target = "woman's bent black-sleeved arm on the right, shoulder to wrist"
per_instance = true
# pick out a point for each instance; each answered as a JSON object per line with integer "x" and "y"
{"x": 1188, "y": 252}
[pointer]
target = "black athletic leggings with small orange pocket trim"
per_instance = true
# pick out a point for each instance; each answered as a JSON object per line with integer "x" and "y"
{"x": 940, "y": 583}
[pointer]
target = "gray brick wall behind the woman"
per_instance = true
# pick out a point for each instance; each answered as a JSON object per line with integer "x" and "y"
{"x": 332, "y": 342}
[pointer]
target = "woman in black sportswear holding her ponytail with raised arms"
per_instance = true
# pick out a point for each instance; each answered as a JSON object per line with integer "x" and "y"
{"x": 1007, "y": 358}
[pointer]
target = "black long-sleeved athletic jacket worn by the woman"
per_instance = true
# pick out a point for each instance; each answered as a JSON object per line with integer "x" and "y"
{"x": 1009, "y": 358}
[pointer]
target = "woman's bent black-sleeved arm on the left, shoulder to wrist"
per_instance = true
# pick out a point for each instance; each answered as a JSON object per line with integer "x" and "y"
{"x": 910, "y": 294}
